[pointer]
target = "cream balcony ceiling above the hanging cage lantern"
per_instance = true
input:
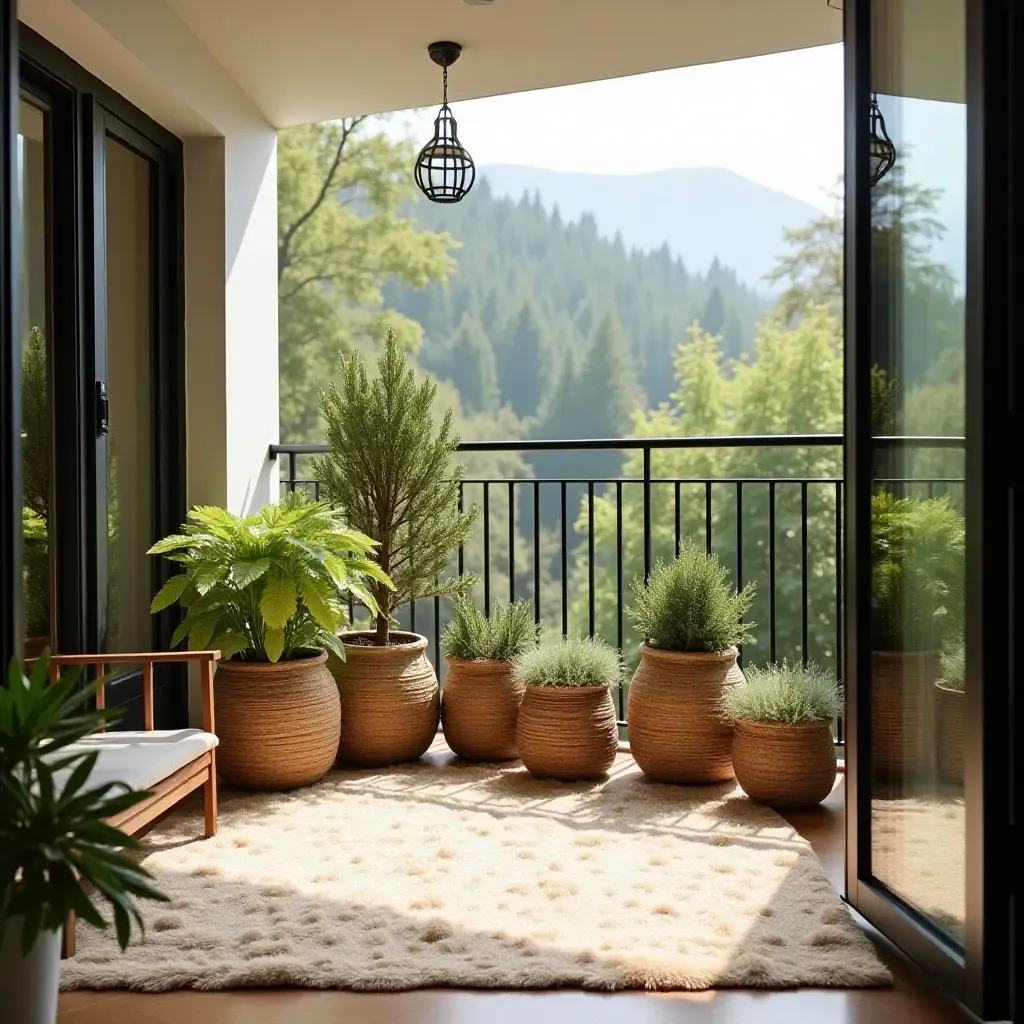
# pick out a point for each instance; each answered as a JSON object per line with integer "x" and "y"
{"x": 306, "y": 61}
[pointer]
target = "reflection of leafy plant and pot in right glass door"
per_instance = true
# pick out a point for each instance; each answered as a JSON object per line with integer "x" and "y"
{"x": 917, "y": 605}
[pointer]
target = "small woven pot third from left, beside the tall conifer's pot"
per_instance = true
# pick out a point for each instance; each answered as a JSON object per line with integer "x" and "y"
{"x": 480, "y": 709}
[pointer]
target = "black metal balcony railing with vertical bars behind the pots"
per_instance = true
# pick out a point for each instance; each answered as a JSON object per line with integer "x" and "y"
{"x": 781, "y": 531}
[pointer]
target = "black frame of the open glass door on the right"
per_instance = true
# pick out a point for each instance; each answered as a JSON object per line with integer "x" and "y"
{"x": 980, "y": 975}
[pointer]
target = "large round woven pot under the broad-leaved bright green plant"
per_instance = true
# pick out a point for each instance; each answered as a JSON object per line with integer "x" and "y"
{"x": 278, "y": 724}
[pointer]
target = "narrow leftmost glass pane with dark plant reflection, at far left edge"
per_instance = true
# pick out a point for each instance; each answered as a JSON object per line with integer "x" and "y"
{"x": 37, "y": 412}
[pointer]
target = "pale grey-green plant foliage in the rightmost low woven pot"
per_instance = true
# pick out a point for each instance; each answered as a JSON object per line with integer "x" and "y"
{"x": 784, "y": 695}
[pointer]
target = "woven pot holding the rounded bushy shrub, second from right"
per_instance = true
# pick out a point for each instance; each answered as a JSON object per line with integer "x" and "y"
{"x": 675, "y": 720}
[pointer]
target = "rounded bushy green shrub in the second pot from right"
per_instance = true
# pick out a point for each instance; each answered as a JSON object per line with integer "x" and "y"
{"x": 689, "y": 606}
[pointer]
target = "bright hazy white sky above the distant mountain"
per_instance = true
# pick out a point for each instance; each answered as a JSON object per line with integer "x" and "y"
{"x": 777, "y": 119}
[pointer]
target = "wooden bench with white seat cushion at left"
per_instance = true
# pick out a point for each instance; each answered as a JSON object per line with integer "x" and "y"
{"x": 169, "y": 764}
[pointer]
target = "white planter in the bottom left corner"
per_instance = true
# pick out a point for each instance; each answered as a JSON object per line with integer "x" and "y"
{"x": 29, "y": 984}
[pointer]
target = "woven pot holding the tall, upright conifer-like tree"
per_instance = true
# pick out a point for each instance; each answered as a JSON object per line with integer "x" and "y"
{"x": 390, "y": 701}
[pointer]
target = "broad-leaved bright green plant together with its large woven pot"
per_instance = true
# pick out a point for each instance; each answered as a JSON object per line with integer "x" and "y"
{"x": 267, "y": 591}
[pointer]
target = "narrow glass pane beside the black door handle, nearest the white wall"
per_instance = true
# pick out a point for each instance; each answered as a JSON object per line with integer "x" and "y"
{"x": 131, "y": 524}
